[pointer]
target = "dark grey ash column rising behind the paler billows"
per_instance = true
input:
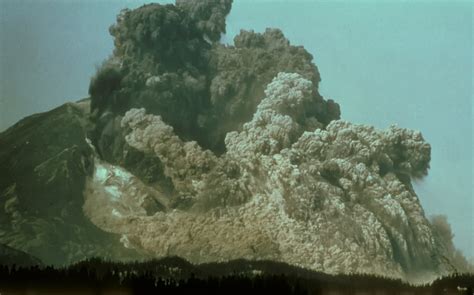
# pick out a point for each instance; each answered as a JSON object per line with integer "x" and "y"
{"x": 164, "y": 62}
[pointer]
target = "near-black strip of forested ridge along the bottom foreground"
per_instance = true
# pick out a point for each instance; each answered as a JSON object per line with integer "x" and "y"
{"x": 176, "y": 276}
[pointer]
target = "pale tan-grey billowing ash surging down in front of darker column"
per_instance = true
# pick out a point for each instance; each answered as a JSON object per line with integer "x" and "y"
{"x": 337, "y": 199}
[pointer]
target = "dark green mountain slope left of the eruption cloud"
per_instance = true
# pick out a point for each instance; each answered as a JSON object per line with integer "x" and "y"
{"x": 45, "y": 160}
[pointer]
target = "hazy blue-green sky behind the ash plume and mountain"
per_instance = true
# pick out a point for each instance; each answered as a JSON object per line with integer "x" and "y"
{"x": 384, "y": 62}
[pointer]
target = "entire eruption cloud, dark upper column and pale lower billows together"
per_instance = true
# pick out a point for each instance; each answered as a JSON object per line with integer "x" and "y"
{"x": 215, "y": 152}
